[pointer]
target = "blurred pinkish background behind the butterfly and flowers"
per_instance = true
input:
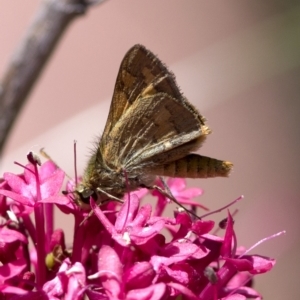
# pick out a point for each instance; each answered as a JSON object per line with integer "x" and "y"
{"x": 237, "y": 61}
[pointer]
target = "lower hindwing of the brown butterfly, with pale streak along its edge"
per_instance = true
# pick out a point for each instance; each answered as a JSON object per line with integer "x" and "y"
{"x": 151, "y": 126}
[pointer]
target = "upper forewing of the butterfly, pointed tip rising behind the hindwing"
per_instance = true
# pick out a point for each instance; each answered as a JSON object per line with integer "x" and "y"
{"x": 139, "y": 69}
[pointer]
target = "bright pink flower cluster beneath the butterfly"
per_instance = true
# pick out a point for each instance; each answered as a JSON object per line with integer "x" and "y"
{"x": 129, "y": 251}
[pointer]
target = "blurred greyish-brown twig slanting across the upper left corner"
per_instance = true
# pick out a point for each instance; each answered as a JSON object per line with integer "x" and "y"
{"x": 41, "y": 37}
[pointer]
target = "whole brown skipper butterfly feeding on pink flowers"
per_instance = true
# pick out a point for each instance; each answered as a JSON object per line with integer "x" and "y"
{"x": 152, "y": 130}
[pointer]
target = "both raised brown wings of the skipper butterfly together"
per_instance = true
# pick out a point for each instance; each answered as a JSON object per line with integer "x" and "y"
{"x": 148, "y": 114}
